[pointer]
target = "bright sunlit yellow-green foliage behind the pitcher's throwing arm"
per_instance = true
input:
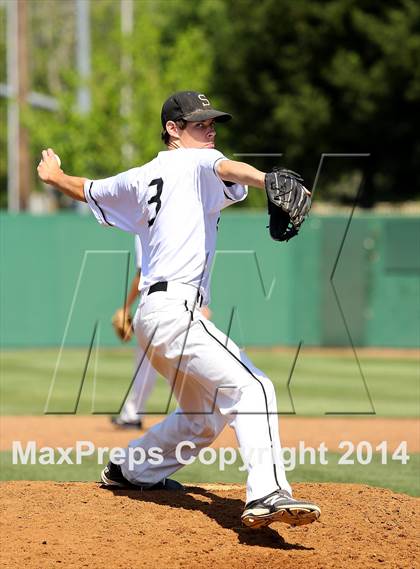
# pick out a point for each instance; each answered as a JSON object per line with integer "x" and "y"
{"x": 131, "y": 75}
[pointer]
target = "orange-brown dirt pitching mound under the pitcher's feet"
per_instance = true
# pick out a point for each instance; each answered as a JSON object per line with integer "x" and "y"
{"x": 47, "y": 524}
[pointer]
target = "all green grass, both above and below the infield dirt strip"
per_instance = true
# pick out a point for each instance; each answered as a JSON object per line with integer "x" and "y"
{"x": 323, "y": 382}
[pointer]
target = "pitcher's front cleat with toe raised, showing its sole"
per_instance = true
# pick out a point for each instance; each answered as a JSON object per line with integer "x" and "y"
{"x": 279, "y": 506}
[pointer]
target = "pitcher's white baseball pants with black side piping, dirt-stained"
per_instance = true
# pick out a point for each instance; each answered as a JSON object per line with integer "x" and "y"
{"x": 214, "y": 384}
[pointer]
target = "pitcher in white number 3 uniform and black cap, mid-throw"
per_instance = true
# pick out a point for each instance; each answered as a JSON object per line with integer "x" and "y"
{"x": 173, "y": 203}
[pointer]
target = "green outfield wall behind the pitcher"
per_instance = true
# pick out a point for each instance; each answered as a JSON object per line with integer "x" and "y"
{"x": 63, "y": 275}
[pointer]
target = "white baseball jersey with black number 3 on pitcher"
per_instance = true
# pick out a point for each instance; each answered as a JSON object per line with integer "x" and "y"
{"x": 165, "y": 202}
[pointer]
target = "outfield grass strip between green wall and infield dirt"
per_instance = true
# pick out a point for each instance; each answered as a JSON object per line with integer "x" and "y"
{"x": 321, "y": 382}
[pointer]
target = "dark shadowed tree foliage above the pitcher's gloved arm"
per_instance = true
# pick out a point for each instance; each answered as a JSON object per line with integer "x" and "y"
{"x": 336, "y": 76}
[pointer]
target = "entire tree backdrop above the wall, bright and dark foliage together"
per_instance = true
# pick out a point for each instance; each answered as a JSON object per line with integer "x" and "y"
{"x": 301, "y": 78}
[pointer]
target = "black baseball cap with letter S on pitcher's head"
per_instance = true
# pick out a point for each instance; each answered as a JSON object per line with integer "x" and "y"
{"x": 190, "y": 106}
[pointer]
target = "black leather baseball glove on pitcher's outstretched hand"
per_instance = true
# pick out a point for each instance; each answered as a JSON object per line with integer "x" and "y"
{"x": 288, "y": 203}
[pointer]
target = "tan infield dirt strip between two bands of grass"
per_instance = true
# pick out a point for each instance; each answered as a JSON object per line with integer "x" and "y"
{"x": 65, "y": 430}
